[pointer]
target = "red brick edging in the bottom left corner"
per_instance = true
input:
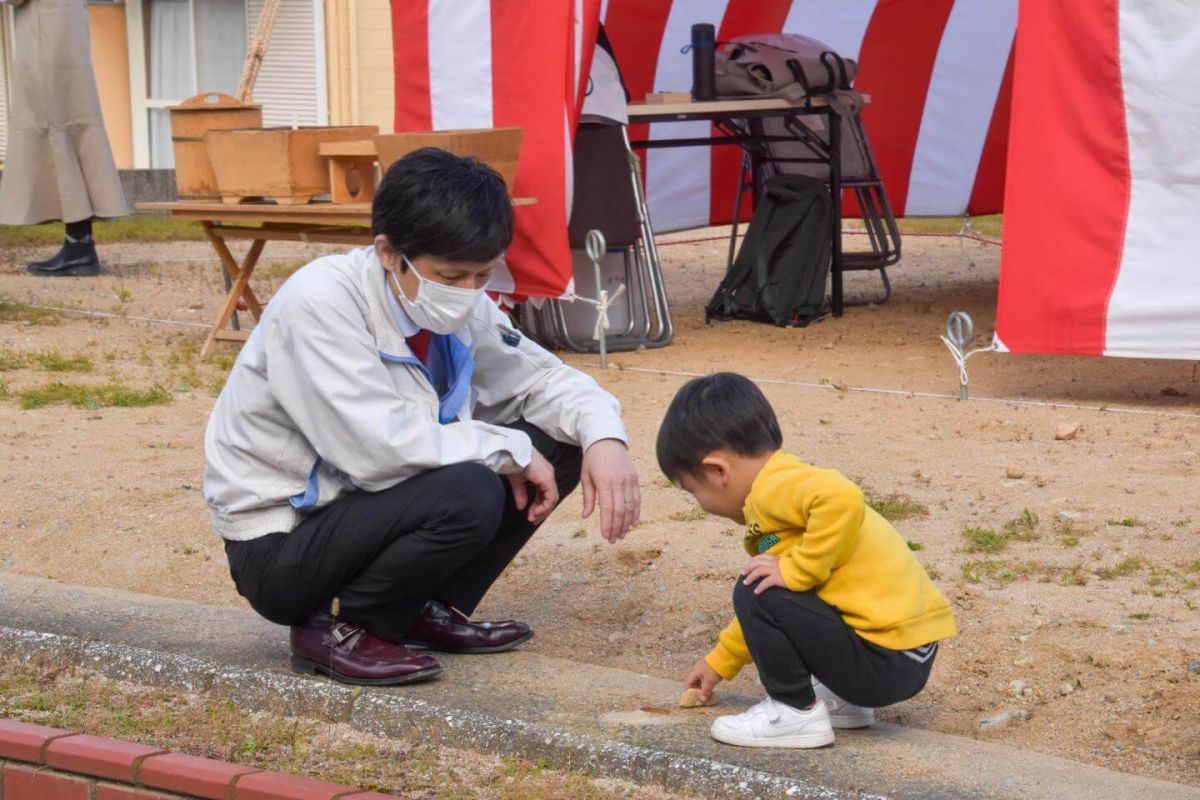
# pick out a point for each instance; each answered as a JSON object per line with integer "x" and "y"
{"x": 39, "y": 762}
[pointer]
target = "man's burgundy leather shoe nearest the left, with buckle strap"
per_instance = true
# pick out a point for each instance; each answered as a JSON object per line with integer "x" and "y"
{"x": 347, "y": 653}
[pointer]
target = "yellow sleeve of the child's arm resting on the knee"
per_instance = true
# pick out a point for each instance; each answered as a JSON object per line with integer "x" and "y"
{"x": 831, "y": 510}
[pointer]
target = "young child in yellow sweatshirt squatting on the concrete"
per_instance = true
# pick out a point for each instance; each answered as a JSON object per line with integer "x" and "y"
{"x": 832, "y": 607}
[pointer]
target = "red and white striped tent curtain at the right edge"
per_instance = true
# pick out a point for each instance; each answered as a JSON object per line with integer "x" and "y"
{"x": 1103, "y": 204}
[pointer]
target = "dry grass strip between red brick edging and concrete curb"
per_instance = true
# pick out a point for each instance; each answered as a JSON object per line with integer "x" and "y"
{"x": 58, "y": 694}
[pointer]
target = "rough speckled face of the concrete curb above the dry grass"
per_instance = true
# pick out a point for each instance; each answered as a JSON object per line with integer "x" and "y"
{"x": 397, "y": 715}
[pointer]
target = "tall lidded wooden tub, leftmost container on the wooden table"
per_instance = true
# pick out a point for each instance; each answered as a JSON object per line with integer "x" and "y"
{"x": 190, "y": 122}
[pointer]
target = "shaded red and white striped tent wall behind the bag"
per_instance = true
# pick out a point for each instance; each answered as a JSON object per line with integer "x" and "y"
{"x": 939, "y": 74}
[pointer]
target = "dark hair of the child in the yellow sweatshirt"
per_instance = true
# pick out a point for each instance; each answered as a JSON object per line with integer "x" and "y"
{"x": 718, "y": 412}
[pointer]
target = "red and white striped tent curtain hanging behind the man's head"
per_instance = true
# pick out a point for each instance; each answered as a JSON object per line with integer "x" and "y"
{"x": 481, "y": 64}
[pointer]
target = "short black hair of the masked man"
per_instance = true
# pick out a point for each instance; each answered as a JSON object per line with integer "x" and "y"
{"x": 434, "y": 203}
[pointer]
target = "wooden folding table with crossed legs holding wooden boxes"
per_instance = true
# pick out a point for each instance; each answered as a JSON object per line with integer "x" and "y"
{"x": 263, "y": 222}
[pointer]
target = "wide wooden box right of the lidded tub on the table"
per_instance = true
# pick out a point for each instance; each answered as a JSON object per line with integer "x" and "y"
{"x": 280, "y": 164}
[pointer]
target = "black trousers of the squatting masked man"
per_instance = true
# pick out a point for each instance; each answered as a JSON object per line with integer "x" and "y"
{"x": 445, "y": 536}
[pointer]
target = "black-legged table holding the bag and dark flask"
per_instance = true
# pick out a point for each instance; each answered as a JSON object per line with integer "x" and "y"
{"x": 740, "y": 121}
